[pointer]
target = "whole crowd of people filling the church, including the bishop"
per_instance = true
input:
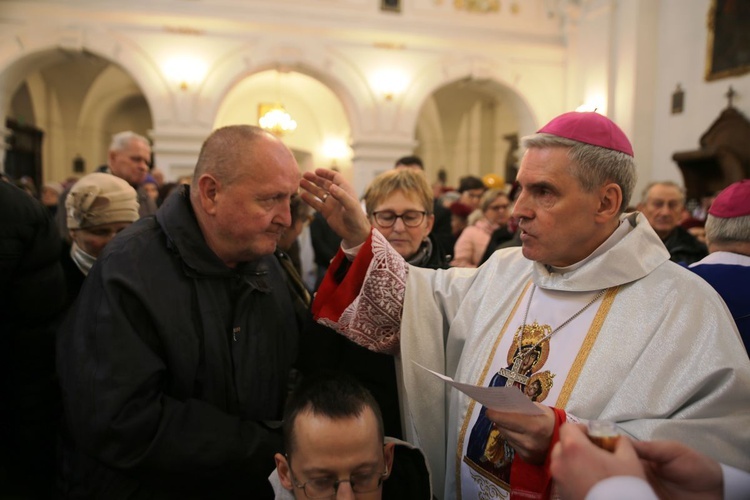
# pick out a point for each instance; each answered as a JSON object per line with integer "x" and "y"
{"x": 167, "y": 339}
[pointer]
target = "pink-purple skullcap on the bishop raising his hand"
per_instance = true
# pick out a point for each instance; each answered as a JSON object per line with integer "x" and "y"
{"x": 589, "y": 128}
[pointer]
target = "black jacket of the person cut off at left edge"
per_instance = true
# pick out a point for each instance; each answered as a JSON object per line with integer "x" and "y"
{"x": 32, "y": 296}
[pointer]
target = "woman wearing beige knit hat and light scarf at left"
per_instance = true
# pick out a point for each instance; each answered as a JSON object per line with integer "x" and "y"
{"x": 98, "y": 207}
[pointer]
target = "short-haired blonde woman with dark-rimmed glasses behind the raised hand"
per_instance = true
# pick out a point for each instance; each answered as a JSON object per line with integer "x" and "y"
{"x": 399, "y": 204}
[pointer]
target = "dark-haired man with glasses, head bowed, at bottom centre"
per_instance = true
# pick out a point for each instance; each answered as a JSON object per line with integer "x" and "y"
{"x": 335, "y": 446}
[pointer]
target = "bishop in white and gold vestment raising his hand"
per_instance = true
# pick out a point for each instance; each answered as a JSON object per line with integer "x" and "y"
{"x": 626, "y": 351}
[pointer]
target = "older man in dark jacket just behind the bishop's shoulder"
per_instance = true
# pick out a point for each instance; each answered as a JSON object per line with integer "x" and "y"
{"x": 663, "y": 203}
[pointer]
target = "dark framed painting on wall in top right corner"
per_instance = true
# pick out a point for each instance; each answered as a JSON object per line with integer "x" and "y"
{"x": 728, "y": 39}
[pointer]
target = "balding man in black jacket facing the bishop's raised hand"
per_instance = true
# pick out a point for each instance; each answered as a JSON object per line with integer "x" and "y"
{"x": 175, "y": 366}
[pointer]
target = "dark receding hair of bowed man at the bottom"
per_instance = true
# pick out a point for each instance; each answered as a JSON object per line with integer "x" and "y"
{"x": 329, "y": 394}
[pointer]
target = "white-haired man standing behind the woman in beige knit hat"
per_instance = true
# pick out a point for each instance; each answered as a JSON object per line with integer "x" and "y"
{"x": 128, "y": 158}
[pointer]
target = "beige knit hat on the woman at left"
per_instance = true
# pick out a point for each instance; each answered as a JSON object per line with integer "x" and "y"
{"x": 100, "y": 198}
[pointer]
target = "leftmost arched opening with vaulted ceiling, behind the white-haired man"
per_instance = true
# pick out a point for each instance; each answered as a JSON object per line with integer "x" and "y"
{"x": 76, "y": 100}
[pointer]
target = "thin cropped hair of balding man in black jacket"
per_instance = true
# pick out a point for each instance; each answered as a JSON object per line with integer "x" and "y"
{"x": 223, "y": 151}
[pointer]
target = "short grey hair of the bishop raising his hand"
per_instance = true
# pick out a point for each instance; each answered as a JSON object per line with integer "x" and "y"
{"x": 592, "y": 166}
